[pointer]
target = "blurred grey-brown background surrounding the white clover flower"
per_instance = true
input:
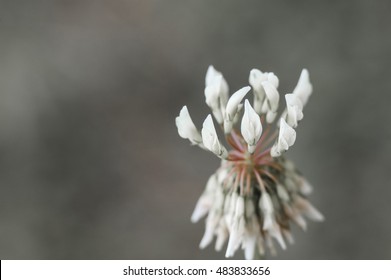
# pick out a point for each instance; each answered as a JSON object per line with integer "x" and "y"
{"x": 91, "y": 166}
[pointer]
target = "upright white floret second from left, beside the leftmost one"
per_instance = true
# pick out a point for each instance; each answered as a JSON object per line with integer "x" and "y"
{"x": 210, "y": 139}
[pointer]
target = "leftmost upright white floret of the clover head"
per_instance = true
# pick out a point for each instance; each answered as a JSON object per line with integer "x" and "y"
{"x": 186, "y": 127}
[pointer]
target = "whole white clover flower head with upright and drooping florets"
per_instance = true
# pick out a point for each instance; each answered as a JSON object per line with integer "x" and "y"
{"x": 255, "y": 195}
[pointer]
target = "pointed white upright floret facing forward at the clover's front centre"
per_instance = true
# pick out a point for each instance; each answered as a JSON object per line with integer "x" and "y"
{"x": 251, "y": 126}
